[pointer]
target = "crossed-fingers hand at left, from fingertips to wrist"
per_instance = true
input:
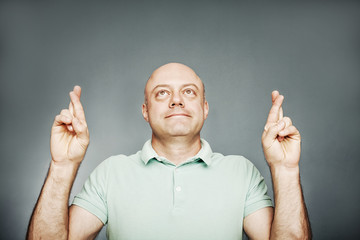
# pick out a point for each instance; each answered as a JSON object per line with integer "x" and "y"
{"x": 69, "y": 134}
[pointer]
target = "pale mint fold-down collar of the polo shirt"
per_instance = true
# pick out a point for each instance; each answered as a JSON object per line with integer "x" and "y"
{"x": 205, "y": 153}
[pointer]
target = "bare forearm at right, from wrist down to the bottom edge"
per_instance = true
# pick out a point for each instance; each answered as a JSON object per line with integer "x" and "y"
{"x": 290, "y": 216}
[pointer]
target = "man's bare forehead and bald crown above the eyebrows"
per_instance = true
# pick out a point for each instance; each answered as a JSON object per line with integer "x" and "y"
{"x": 173, "y": 75}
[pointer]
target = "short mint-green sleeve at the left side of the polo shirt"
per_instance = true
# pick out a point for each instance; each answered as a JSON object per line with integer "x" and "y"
{"x": 92, "y": 196}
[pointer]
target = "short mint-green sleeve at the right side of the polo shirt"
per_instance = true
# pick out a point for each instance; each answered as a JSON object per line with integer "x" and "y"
{"x": 256, "y": 197}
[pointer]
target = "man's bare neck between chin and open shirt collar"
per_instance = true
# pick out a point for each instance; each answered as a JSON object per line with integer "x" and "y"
{"x": 176, "y": 149}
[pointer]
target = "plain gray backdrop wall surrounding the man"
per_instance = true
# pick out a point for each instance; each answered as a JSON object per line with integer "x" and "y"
{"x": 242, "y": 50}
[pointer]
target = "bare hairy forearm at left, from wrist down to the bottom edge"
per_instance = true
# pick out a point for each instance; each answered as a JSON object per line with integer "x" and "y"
{"x": 50, "y": 216}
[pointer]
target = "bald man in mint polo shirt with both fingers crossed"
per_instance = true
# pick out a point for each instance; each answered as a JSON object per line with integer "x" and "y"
{"x": 176, "y": 187}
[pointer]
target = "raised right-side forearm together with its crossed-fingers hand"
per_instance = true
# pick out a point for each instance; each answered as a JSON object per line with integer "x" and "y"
{"x": 282, "y": 147}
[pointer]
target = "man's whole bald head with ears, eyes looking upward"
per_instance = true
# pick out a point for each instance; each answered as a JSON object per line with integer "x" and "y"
{"x": 175, "y": 104}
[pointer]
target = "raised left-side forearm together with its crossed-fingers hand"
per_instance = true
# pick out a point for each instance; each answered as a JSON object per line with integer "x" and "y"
{"x": 68, "y": 143}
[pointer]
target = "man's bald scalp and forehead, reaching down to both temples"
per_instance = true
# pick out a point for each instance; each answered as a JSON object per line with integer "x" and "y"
{"x": 175, "y": 72}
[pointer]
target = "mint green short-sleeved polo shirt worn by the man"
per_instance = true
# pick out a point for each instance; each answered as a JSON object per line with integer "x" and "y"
{"x": 145, "y": 196}
